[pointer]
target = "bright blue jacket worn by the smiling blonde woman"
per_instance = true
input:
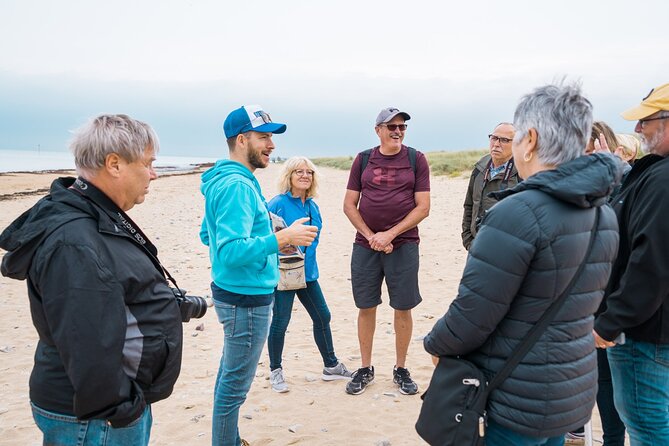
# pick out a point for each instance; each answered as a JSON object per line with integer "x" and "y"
{"x": 290, "y": 209}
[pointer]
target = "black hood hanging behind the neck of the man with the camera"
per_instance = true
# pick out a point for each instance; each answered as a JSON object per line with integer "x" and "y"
{"x": 25, "y": 234}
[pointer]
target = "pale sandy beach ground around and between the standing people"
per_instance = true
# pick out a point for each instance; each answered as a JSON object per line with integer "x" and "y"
{"x": 314, "y": 412}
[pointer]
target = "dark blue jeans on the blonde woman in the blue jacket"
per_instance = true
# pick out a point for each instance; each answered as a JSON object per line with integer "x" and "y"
{"x": 314, "y": 302}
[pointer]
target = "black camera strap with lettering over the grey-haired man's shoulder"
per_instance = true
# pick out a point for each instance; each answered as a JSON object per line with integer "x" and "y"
{"x": 106, "y": 205}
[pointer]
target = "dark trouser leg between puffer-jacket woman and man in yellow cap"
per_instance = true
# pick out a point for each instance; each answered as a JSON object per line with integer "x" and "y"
{"x": 612, "y": 426}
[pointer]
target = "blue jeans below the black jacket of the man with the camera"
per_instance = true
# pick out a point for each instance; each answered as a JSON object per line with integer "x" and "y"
{"x": 67, "y": 430}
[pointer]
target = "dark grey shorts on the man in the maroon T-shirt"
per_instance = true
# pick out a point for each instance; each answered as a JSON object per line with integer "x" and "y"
{"x": 399, "y": 268}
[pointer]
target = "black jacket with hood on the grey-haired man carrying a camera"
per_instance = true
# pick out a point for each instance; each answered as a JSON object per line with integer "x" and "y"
{"x": 109, "y": 328}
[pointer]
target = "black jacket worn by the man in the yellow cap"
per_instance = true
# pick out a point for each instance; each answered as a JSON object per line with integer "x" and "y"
{"x": 637, "y": 296}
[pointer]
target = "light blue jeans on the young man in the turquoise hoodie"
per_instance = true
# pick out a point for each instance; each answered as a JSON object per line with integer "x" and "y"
{"x": 245, "y": 330}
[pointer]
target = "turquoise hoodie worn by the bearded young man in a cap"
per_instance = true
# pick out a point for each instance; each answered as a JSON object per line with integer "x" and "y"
{"x": 236, "y": 227}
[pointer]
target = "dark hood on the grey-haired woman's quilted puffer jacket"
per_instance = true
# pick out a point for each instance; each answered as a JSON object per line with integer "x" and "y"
{"x": 586, "y": 181}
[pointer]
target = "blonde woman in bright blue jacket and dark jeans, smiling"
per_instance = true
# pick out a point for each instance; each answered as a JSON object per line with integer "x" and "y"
{"x": 298, "y": 185}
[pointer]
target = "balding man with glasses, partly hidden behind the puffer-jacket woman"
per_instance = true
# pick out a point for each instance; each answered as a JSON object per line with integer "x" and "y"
{"x": 491, "y": 173}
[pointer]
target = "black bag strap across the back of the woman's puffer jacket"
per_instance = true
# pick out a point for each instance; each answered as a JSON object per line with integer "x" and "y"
{"x": 537, "y": 330}
